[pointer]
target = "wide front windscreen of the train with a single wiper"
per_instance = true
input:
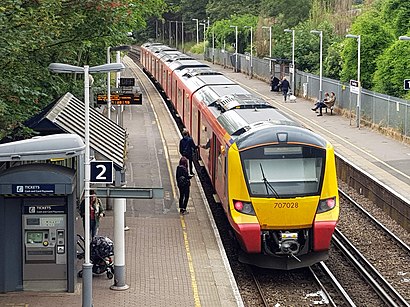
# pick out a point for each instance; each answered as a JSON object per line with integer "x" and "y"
{"x": 283, "y": 171}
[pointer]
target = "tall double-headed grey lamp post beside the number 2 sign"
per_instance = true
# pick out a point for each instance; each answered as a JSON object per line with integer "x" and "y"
{"x": 86, "y": 70}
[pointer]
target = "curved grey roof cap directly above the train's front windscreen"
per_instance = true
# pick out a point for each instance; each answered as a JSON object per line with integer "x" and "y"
{"x": 269, "y": 132}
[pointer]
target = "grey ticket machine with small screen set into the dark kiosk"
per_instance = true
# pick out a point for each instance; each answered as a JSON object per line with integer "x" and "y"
{"x": 44, "y": 247}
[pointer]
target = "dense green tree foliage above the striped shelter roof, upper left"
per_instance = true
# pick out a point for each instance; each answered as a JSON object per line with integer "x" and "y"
{"x": 37, "y": 33}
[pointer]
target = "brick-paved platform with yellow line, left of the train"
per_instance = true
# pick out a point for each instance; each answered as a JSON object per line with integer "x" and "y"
{"x": 171, "y": 260}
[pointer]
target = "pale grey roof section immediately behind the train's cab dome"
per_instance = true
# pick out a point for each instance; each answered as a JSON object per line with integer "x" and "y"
{"x": 238, "y": 121}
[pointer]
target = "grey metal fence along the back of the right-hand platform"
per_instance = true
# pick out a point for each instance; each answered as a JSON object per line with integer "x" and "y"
{"x": 382, "y": 110}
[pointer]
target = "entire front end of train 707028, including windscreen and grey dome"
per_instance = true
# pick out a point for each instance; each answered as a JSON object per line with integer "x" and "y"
{"x": 283, "y": 197}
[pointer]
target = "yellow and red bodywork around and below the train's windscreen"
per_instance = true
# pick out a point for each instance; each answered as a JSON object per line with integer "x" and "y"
{"x": 278, "y": 232}
